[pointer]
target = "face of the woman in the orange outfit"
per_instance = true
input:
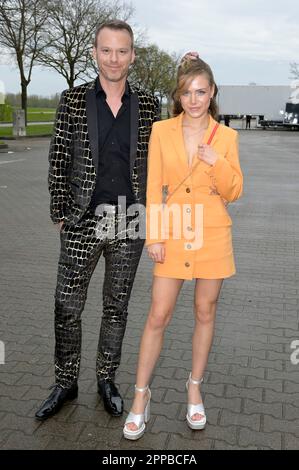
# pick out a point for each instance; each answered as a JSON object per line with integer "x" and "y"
{"x": 195, "y": 100}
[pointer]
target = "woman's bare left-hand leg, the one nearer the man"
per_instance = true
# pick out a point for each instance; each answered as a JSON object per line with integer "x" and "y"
{"x": 164, "y": 295}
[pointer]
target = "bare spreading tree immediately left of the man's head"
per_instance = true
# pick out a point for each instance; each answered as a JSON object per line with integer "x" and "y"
{"x": 69, "y": 38}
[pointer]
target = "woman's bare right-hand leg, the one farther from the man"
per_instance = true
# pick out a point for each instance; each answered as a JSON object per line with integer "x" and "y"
{"x": 206, "y": 295}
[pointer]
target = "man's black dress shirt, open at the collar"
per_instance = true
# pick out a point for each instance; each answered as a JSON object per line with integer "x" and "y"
{"x": 113, "y": 173}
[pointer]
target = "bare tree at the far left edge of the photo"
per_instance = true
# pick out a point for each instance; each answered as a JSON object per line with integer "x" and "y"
{"x": 21, "y": 26}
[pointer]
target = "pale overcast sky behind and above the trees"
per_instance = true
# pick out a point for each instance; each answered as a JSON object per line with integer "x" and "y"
{"x": 244, "y": 41}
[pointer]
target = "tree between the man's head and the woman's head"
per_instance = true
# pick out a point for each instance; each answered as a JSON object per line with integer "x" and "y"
{"x": 154, "y": 70}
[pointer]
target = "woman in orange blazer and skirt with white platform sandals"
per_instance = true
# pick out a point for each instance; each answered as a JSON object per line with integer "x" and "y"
{"x": 193, "y": 172}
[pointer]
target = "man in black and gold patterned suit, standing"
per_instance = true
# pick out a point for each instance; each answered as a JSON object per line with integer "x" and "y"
{"x": 98, "y": 153}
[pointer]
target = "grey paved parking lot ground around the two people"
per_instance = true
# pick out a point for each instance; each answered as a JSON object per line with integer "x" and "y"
{"x": 251, "y": 389}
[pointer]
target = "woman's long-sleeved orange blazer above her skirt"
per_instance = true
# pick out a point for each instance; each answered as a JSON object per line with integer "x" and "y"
{"x": 206, "y": 184}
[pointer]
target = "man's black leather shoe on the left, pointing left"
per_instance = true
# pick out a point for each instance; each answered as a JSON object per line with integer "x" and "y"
{"x": 55, "y": 401}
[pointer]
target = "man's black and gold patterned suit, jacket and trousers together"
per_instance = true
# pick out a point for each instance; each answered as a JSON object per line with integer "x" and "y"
{"x": 73, "y": 160}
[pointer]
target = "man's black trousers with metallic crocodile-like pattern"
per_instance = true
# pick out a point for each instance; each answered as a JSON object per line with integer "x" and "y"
{"x": 81, "y": 246}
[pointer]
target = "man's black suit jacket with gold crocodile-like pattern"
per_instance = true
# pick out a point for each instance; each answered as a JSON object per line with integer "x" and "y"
{"x": 73, "y": 156}
